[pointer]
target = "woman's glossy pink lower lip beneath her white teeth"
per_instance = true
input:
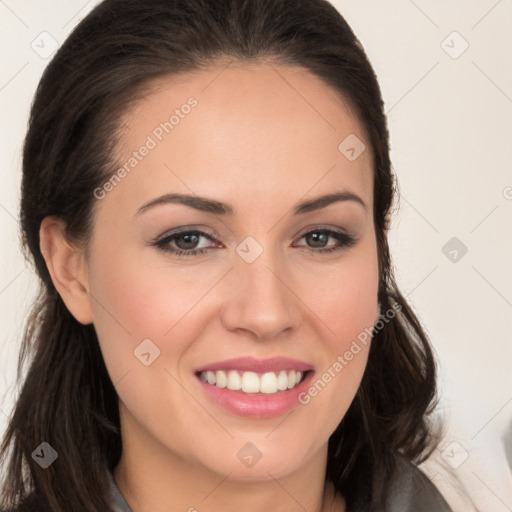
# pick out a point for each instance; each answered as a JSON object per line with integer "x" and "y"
{"x": 259, "y": 405}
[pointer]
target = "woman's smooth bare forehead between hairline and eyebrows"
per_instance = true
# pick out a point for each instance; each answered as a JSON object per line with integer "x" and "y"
{"x": 252, "y": 130}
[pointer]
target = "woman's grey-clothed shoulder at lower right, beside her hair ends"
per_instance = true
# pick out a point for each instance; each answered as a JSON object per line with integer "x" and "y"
{"x": 412, "y": 491}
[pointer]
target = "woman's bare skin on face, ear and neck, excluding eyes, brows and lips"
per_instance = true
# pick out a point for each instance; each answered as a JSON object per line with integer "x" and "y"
{"x": 257, "y": 131}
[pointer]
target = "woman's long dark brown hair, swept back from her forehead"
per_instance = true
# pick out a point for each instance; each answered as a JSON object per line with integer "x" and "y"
{"x": 67, "y": 398}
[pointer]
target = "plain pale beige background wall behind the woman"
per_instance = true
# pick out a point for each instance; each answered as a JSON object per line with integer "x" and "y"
{"x": 445, "y": 69}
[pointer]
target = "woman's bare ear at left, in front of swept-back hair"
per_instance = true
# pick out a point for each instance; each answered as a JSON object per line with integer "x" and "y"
{"x": 67, "y": 267}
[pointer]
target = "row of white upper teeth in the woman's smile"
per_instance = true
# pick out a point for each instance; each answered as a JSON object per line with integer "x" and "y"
{"x": 251, "y": 382}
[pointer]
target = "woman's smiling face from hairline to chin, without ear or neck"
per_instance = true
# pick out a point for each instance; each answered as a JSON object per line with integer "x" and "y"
{"x": 176, "y": 288}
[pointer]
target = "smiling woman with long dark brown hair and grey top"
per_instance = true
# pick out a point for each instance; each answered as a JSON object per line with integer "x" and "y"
{"x": 206, "y": 197}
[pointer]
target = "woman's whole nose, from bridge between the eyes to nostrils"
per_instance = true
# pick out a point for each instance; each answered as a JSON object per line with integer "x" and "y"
{"x": 260, "y": 301}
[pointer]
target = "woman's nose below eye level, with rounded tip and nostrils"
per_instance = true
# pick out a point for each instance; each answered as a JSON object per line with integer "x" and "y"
{"x": 260, "y": 299}
